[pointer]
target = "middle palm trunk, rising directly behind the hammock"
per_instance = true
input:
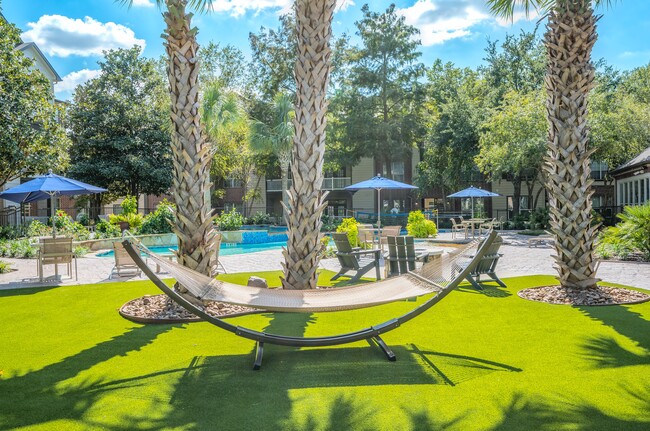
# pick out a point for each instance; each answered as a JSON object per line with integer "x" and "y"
{"x": 306, "y": 200}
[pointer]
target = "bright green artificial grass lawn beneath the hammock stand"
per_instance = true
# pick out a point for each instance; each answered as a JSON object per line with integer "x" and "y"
{"x": 478, "y": 360}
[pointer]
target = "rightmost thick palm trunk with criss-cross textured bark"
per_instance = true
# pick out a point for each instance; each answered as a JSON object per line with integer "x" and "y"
{"x": 569, "y": 40}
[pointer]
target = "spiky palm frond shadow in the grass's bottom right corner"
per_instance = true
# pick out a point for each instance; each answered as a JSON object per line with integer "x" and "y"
{"x": 575, "y": 414}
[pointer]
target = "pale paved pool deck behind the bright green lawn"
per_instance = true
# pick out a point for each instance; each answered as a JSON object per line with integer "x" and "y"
{"x": 518, "y": 259}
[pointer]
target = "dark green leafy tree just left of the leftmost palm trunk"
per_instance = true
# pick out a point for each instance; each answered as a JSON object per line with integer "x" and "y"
{"x": 119, "y": 126}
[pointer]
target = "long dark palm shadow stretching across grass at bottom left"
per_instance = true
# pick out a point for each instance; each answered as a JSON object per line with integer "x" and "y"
{"x": 43, "y": 396}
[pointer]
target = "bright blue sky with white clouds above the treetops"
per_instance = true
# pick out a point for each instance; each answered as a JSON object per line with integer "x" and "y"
{"x": 73, "y": 33}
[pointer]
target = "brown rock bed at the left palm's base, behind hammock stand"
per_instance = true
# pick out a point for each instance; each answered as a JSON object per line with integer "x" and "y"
{"x": 161, "y": 309}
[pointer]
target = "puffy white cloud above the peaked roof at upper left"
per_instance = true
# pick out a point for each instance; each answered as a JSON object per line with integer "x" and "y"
{"x": 62, "y": 36}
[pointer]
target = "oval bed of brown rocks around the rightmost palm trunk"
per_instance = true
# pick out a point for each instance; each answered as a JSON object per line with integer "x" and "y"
{"x": 601, "y": 295}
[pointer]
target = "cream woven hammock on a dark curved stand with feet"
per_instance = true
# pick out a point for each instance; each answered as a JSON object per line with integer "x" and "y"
{"x": 440, "y": 277}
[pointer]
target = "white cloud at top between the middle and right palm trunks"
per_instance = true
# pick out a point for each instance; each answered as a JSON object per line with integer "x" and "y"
{"x": 443, "y": 20}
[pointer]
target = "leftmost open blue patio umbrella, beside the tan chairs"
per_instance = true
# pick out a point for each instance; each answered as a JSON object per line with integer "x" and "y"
{"x": 47, "y": 187}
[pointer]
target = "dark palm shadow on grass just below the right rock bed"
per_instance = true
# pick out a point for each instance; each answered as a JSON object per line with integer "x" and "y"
{"x": 606, "y": 351}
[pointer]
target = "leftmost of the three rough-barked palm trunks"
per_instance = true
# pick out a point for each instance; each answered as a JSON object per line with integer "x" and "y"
{"x": 191, "y": 180}
